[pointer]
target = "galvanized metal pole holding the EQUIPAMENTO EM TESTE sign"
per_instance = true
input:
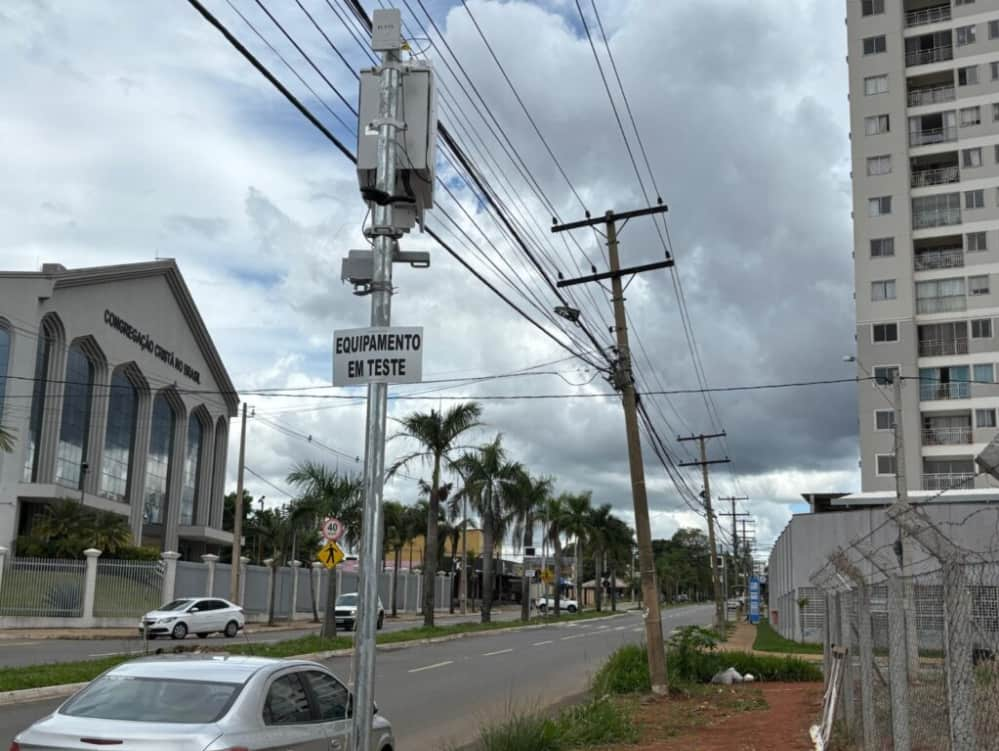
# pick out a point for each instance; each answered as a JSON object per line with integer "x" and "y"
{"x": 385, "y": 235}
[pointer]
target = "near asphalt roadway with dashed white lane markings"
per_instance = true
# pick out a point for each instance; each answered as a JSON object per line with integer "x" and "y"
{"x": 441, "y": 694}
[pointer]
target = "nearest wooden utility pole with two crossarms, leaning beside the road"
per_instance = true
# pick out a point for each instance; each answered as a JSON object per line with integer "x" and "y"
{"x": 625, "y": 383}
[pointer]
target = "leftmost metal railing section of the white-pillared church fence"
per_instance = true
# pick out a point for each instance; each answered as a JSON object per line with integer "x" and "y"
{"x": 35, "y": 587}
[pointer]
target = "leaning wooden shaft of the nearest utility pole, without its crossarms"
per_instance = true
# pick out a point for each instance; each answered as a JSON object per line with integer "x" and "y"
{"x": 643, "y": 529}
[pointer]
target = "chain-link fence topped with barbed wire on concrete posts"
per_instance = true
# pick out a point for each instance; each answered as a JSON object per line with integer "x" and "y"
{"x": 914, "y": 625}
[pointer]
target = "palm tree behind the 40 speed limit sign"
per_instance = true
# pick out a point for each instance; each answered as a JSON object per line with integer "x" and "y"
{"x": 326, "y": 492}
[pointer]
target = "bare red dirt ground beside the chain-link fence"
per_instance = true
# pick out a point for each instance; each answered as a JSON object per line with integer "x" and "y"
{"x": 782, "y": 726}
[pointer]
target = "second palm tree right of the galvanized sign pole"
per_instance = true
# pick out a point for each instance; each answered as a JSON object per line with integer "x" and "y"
{"x": 489, "y": 481}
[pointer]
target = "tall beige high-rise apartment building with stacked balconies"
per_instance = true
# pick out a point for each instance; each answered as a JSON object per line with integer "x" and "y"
{"x": 924, "y": 120}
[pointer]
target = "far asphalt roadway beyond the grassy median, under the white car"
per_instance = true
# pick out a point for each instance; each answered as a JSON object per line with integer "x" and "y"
{"x": 20, "y": 653}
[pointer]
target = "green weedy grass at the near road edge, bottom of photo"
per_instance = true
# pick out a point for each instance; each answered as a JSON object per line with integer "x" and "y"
{"x": 600, "y": 722}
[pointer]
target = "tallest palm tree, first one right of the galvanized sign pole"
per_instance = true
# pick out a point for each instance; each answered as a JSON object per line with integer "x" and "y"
{"x": 437, "y": 434}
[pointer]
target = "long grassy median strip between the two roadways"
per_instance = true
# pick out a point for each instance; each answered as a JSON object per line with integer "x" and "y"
{"x": 37, "y": 676}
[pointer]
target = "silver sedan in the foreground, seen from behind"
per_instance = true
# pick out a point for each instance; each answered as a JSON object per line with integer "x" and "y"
{"x": 206, "y": 703}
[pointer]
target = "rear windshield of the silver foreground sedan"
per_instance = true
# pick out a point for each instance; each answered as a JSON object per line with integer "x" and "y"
{"x": 116, "y": 697}
